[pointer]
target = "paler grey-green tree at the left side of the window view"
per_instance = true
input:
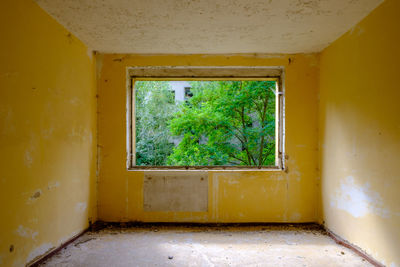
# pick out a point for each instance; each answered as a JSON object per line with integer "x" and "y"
{"x": 155, "y": 106}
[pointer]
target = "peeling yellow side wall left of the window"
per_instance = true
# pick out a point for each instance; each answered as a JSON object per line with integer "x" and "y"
{"x": 47, "y": 133}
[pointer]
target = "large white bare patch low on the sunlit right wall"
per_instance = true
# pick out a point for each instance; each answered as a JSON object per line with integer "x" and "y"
{"x": 358, "y": 200}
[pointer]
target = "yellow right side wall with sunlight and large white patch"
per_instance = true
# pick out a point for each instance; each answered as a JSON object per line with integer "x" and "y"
{"x": 360, "y": 134}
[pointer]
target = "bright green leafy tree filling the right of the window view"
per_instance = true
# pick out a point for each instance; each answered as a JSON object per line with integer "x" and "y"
{"x": 226, "y": 123}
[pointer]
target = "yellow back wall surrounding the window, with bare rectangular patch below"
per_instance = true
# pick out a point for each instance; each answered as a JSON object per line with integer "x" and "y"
{"x": 234, "y": 196}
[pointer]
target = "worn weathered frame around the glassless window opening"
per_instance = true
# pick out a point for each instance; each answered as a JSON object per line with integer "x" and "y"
{"x": 279, "y": 122}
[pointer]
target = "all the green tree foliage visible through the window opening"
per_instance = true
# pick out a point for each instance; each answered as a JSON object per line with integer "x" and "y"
{"x": 223, "y": 123}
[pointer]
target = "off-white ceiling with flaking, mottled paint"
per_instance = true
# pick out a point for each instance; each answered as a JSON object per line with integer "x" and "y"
{"x": 208, "y": 26}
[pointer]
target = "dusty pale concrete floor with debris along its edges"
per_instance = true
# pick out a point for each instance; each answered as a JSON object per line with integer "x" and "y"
{"x": 206, "y": 246}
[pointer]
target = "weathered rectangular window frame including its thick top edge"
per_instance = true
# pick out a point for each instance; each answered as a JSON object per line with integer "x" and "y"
{"x": 274, "y": 73}
